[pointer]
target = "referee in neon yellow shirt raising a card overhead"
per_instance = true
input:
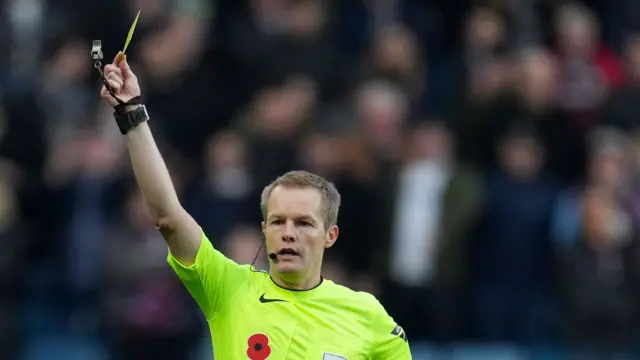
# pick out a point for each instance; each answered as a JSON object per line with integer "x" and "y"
{"x": 290, "y": 312}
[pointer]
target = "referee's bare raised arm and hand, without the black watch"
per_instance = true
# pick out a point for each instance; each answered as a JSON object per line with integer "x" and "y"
{"x": 182, "y": 233}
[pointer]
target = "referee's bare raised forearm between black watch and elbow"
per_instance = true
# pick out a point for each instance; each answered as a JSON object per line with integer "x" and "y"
{"x": 151, "y": 173}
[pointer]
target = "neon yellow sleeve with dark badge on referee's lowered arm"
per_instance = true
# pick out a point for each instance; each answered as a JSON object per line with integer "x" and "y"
{"x": 389, "y": 339}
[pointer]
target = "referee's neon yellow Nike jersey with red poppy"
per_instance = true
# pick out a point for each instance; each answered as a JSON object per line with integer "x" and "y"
{"x": 251, "y": 317}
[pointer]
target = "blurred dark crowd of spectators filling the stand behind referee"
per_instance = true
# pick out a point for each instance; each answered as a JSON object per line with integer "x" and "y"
{"x": 486, "y": 152}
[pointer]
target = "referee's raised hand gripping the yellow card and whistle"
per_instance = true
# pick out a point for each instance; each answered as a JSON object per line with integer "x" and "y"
{"x": 122, "y": 80}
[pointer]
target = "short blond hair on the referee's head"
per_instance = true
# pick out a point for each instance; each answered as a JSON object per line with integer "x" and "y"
{"x": 303, "y": 179}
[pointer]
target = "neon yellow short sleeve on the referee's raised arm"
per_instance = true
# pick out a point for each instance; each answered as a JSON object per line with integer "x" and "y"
{"x": 212, "y": 280}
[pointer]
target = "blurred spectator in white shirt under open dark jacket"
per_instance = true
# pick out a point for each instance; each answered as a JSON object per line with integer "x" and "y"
{"x": 427, "y": 253}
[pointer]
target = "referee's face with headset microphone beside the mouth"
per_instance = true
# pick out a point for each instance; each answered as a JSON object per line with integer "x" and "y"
{"x": 295, "y": 230}
